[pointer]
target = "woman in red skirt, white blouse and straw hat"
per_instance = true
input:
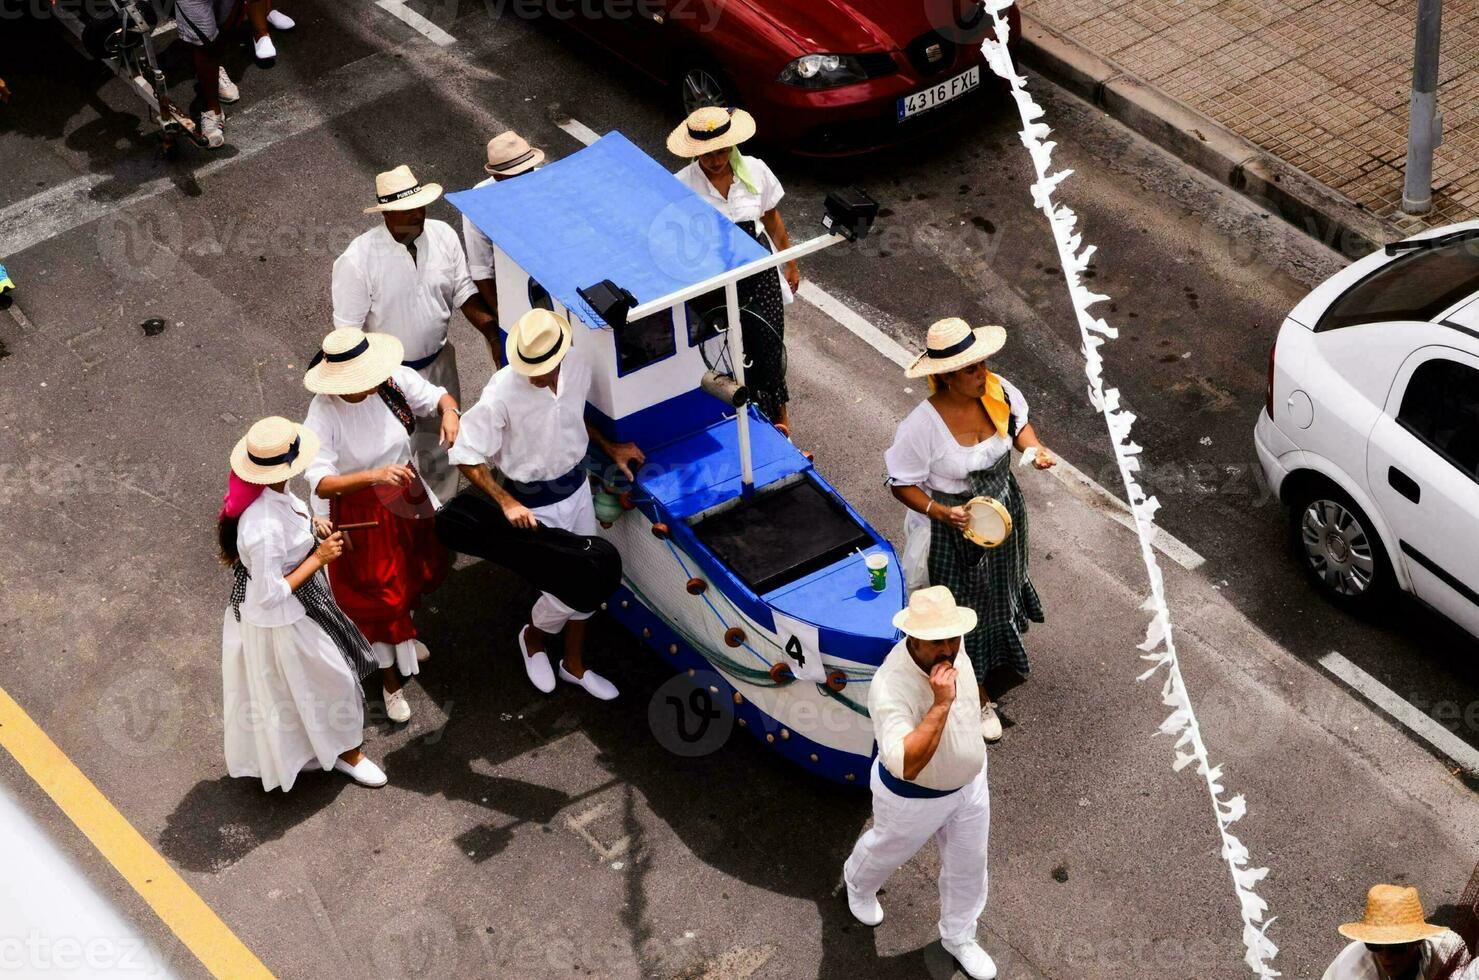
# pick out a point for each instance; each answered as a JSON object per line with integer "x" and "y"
{"x": 365, "y": 413}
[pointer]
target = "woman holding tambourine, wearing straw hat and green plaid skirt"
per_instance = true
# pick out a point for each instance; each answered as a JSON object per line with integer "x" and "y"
{"x": 952, "y": 466}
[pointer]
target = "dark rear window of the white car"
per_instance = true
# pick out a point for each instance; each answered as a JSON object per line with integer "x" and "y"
{"x": 1418, "y": 287}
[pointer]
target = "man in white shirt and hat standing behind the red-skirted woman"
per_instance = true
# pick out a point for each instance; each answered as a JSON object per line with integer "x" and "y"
{"x": 406, "y": 277}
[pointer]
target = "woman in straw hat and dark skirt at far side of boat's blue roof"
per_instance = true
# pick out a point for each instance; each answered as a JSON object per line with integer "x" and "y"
{"x": 746, "y": 191}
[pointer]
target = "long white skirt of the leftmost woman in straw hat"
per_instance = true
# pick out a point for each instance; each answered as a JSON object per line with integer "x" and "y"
{"x": 292, "y": 703}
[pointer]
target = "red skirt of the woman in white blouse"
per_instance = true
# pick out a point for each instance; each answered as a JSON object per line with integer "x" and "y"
{"x": 384, "y": 573}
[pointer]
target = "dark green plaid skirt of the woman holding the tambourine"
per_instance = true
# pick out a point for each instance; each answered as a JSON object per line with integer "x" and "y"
{"x": 993, "y": 582}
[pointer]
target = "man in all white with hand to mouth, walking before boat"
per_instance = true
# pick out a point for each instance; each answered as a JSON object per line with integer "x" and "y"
{"x": 931, "y": 775}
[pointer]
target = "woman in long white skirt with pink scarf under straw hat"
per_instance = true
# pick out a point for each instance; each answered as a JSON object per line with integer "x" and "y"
{"x": 291, "y": 661}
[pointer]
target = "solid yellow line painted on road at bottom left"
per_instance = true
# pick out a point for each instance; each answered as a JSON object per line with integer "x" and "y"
{"x": 177, "y": 904}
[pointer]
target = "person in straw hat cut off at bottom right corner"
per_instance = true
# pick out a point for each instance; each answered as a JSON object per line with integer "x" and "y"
{"x": 1394, "y": 942}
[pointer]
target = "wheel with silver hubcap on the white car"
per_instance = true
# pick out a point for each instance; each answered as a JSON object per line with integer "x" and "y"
{"x": 1339, "y": 548}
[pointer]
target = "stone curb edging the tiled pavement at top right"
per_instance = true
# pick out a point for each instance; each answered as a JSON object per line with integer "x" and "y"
{"x": 1208, "y": 146}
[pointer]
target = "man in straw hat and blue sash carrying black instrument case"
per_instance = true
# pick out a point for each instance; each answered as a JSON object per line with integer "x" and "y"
{"x": 530, "y": 423}
